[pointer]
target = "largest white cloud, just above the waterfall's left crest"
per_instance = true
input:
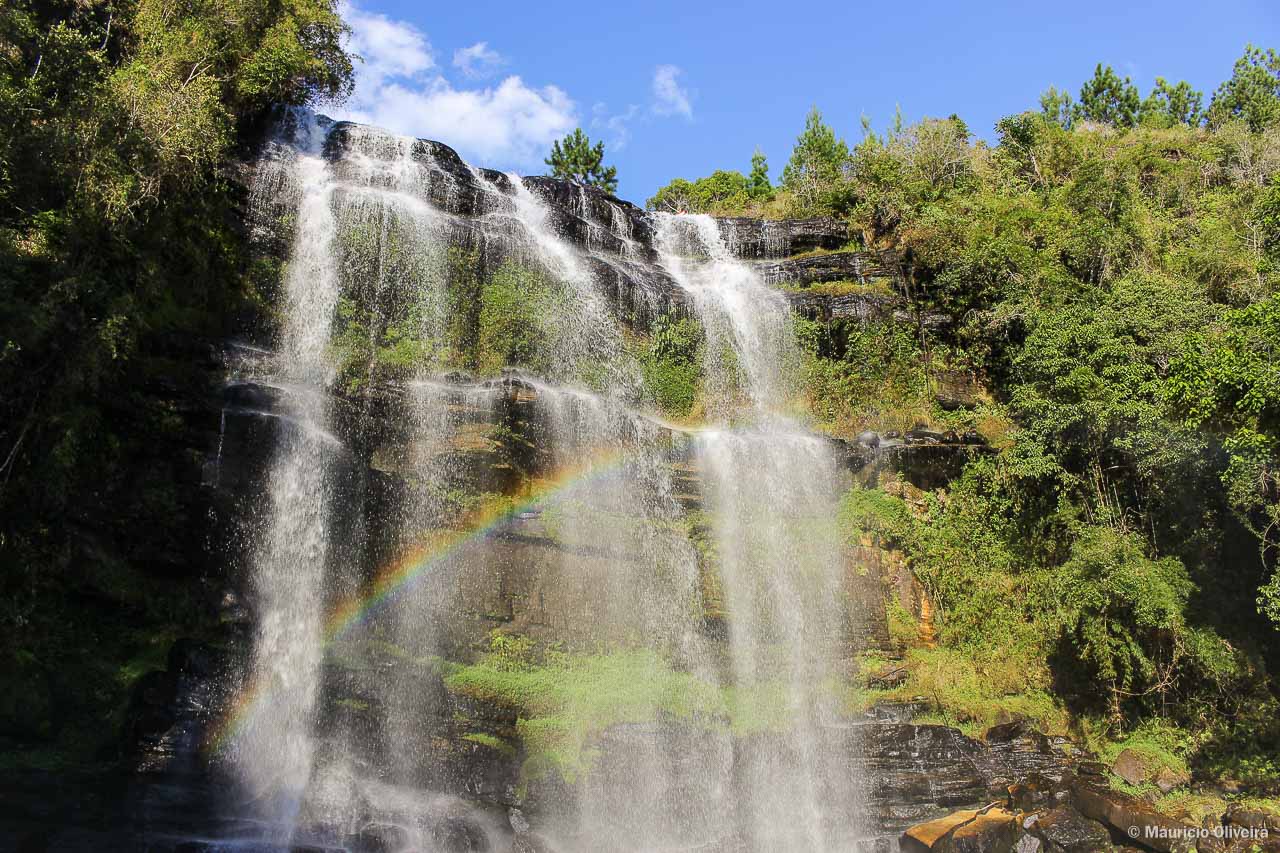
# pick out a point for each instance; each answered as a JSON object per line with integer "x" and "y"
{"x": 400, "y": 88}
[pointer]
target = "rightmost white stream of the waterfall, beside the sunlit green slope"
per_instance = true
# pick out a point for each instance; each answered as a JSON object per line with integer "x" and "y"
{"x": 772, "y": 491}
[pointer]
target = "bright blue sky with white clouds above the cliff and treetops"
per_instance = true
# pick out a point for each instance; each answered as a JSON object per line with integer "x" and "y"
{"x": 683, "y": 89}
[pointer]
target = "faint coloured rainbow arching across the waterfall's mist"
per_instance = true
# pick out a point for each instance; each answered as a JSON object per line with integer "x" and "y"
{"x": 415, "y": 563}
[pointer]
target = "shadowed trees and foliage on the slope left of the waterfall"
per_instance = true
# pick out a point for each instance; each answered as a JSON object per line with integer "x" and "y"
{"x": 121, "y": 253}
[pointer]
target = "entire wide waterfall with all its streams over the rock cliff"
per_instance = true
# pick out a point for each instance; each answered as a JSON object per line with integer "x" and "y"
{"x": 350, "y": 723}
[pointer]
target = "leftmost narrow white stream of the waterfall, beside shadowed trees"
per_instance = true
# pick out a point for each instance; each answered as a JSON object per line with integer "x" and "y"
{"x": 275, "y": 752}
